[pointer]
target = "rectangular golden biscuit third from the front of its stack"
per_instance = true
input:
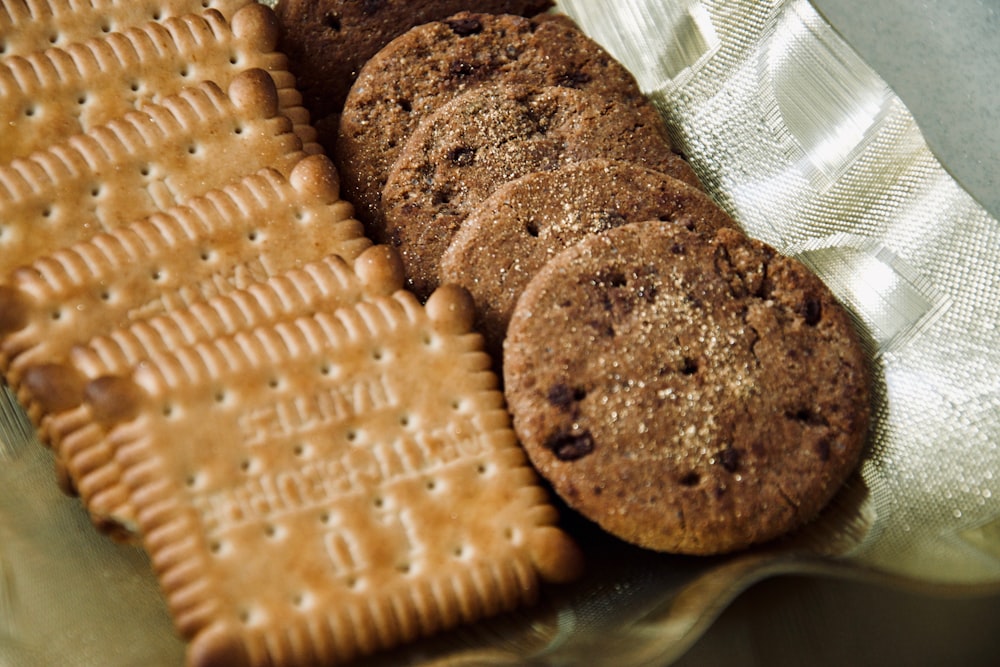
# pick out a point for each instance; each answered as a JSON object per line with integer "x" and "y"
{"x": 228, "y": 239}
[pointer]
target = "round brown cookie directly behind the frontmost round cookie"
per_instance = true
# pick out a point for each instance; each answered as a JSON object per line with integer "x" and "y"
{"x": 519, "y": 227}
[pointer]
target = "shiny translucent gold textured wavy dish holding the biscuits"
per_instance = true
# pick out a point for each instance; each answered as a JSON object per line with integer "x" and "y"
{"x": 811, "y": 152}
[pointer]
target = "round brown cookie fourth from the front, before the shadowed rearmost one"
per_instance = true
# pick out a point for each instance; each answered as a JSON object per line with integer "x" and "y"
{"x": 429, "y": 65}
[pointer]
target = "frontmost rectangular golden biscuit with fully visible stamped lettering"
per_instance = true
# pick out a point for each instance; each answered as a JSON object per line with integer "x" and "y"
{"x": 303, "y": 449}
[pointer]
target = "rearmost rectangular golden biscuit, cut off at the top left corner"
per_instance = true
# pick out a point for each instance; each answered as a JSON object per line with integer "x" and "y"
{"x": 27, "y": 26}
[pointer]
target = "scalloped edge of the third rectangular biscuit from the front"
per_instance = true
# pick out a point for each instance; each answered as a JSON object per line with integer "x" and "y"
{"x": 53, "y": 386}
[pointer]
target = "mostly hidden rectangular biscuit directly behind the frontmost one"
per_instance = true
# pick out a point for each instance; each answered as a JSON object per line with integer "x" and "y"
{"x": 323, "y": 286}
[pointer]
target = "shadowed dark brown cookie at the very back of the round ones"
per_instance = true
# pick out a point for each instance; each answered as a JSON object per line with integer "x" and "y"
{"x": 327, "y": 41}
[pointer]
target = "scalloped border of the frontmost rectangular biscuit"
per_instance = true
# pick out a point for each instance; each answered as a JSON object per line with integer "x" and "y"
{"x": 180, "y": 552}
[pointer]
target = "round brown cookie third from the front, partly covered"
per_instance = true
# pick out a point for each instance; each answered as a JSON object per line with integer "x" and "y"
{"x": 494, "y": 134}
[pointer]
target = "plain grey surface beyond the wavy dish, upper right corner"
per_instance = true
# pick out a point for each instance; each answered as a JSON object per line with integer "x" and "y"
{"x": 942, "y": 58}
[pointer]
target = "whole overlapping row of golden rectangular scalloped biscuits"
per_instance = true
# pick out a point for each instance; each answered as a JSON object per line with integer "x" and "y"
{"x": 228, "y": 371}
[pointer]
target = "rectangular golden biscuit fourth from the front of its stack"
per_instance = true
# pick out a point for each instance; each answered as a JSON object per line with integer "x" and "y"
{"x": 146, "y": 161}
